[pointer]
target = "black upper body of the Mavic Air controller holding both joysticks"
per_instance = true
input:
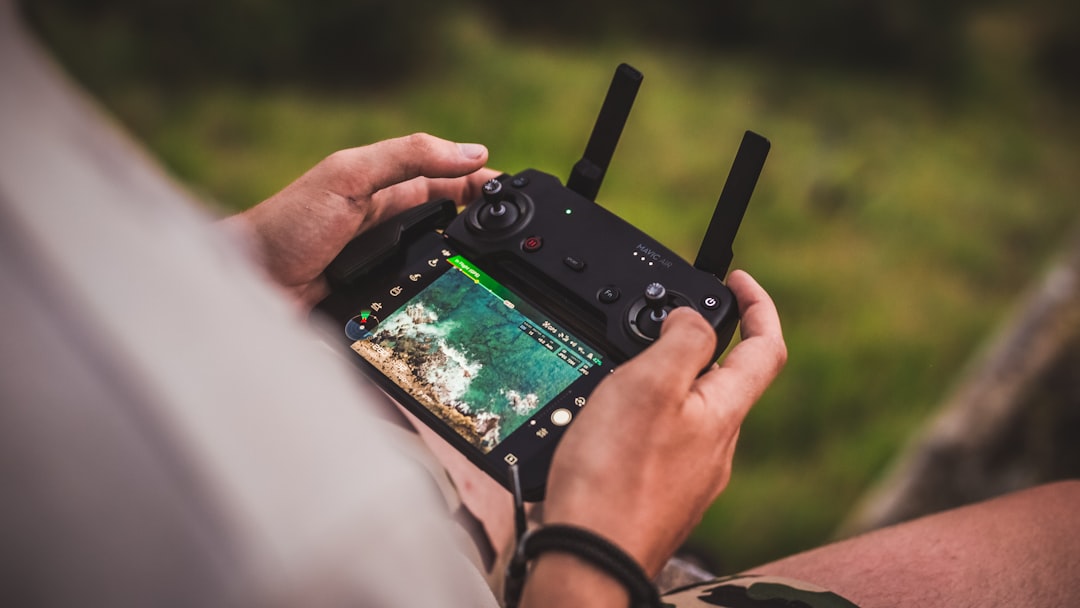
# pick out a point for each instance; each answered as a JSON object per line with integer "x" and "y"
{"x": 588, "y": 266}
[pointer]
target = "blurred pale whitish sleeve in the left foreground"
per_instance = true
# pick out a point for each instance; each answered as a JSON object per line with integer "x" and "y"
{"x": 171, "y": 431}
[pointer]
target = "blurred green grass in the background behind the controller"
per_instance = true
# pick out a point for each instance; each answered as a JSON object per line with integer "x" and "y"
{"x": 894, "y": 227}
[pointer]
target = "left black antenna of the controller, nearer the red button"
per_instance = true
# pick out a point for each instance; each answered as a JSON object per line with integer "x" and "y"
{"x": 589, "y": 172}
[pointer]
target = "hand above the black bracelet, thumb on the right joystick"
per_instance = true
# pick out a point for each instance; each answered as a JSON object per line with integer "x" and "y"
{"x": 654, "y": 448}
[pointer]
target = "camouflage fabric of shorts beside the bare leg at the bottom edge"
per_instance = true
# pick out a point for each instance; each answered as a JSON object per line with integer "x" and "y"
{"x": 754, "y": 592}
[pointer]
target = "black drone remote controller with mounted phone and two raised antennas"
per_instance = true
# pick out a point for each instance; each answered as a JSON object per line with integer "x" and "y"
{"x": 494, "y": 326}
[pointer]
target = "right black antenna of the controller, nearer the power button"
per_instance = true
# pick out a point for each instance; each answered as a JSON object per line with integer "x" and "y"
{"x": 715, "y": 254}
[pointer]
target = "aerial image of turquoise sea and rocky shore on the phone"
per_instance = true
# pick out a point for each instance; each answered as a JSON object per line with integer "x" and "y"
{"x": 480, "y": 366}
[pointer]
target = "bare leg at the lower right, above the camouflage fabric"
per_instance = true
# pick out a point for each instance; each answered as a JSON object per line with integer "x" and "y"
{"x": 1021, "y": 549}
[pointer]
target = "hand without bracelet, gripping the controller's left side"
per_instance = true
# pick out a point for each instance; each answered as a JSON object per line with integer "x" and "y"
{"x": 299, "y": 232}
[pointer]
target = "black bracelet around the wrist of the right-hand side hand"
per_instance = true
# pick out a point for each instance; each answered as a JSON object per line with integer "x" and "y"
{"x": 598, "y": 551}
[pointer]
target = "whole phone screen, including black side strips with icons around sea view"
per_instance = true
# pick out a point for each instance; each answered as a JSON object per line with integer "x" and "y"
{"x": 477, "y": 356}
